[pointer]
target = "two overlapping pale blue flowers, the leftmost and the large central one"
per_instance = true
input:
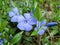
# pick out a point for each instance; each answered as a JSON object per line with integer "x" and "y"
{"x": 24, "y": 22}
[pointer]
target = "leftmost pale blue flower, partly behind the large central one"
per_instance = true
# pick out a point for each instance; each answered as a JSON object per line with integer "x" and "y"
{"x": 14, "y": 14}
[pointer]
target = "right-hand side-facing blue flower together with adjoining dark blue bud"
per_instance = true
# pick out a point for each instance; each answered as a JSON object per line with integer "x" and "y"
{"x": 42, "y": 26}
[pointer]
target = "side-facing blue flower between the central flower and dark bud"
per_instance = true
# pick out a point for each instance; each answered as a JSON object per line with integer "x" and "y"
{"x": 40, "y": 27}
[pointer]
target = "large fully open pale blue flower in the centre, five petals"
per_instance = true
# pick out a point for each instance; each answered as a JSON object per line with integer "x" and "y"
{"x": 26, "y": 22}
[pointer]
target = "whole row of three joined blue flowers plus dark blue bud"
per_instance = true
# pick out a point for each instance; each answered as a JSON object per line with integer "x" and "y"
{"x": 26, "y": 22}
